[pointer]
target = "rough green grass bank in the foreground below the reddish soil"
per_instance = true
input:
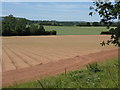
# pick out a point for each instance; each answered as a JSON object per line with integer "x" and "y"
{"x": 106, "y": 76}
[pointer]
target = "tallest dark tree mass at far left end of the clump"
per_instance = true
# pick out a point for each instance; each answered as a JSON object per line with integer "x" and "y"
{"x": 13, "y": 25}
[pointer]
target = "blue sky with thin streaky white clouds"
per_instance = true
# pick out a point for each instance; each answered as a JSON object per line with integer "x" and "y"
{"x": 60, "y": 11}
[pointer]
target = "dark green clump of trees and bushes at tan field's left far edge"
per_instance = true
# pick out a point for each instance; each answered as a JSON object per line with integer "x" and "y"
{"x": 12, "y": 26}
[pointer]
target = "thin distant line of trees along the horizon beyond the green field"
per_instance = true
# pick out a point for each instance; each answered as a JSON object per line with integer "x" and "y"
{"x": 71, "y": 23}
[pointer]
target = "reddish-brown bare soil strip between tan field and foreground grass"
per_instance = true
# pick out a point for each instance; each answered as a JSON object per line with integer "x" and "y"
{"x": 53, "y": 68}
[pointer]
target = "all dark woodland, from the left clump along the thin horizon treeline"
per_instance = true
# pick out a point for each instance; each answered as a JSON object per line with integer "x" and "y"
{"x": 14, "y": 26}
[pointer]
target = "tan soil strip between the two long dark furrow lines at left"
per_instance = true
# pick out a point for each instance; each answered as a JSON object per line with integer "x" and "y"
{"x": 18, "y": 62}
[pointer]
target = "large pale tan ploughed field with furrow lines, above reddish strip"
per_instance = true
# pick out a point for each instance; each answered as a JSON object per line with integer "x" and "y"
{"x": 30, "y": 51}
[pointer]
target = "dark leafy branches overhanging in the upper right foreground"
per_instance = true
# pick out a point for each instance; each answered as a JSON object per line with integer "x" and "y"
{"x": 108, "y": 12}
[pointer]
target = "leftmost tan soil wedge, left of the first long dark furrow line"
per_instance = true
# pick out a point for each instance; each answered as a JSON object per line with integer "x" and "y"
{"x": 8, "y": 64}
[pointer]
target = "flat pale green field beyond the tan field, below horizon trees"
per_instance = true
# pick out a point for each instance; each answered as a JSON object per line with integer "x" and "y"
{"x": 74, "y": 30}
